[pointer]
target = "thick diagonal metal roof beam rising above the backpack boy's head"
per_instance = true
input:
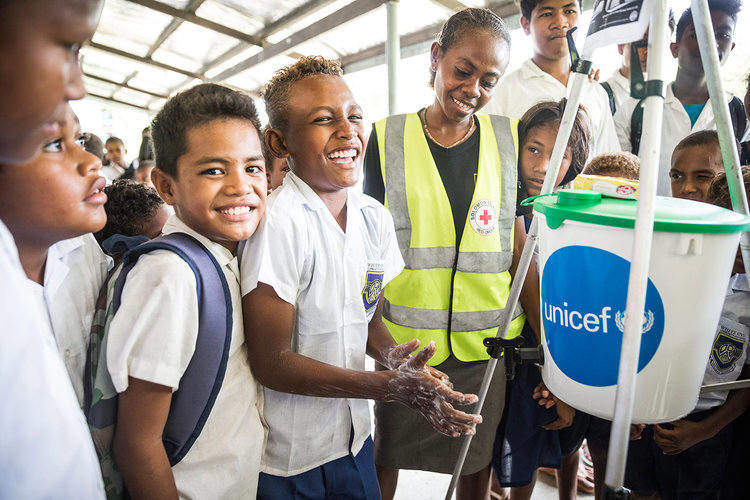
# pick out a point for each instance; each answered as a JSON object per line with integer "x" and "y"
{"x": 341, "y": 16}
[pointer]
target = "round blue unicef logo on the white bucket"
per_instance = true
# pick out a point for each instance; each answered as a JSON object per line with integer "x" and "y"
{"x": 583, "y": 310}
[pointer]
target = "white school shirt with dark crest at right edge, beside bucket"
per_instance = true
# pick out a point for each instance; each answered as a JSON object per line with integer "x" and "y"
{"x": 729, "y": 352}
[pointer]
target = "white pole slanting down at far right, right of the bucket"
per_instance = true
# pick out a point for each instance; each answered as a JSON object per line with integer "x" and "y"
{"x": 704, "y": 30}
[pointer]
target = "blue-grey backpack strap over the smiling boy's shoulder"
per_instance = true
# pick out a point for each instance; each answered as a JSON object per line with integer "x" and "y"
{"x": 201, "y": 382}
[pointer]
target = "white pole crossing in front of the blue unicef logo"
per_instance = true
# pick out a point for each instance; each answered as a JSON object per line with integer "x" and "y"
{"x": 643, "y": 235}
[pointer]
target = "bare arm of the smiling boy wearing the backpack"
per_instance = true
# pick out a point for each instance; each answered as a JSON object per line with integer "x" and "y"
{"x": 142, "y": 412}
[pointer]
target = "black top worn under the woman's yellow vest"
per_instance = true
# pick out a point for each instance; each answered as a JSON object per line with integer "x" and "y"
{"x": 457, "y": 167}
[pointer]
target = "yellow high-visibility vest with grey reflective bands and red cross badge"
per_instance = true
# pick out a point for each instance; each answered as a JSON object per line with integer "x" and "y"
{"x": 455, "y": 297}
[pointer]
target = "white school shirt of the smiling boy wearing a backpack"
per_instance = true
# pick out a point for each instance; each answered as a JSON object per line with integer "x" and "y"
{"x": 152, "y": 337}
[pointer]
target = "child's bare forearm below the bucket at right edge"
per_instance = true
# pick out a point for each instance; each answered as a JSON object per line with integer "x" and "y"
{"x": 685, "y": 433}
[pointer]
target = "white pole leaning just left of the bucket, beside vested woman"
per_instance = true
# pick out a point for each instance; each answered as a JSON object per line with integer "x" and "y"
{"x": 561, "y": 143}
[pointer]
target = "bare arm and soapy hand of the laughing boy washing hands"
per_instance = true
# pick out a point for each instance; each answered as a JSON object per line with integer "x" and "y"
{"x": 269, "y": 322}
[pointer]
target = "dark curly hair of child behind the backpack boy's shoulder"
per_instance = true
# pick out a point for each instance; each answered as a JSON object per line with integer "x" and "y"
{"x": 130, "y": 208}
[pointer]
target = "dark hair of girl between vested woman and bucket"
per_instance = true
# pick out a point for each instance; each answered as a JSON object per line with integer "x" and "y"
{"x": 550, "y": 113}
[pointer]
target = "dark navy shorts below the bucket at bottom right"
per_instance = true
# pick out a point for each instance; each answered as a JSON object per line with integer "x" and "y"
{"x": 697, "y": 473}
